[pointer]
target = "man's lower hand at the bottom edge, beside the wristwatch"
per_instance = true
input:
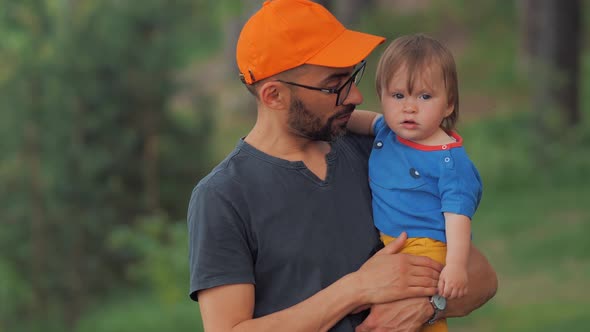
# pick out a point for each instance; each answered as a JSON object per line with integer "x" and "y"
{"x": 402, "y": 315}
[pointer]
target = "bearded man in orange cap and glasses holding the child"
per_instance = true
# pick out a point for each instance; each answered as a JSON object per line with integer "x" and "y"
{"x": 281, "y": 233}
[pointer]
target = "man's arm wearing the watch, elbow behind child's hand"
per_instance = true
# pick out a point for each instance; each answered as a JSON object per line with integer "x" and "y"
{"x": 411, "y": 314}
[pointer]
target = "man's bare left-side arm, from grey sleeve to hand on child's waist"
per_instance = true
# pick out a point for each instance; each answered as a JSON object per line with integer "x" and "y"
{"x": 385, "y": 277}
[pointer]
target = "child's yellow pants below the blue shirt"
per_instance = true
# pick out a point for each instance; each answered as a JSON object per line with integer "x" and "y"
{"x": 430, "y": 248}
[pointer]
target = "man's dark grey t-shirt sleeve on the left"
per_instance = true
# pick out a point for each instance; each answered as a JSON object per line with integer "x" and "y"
{"x": 219, "y": 253}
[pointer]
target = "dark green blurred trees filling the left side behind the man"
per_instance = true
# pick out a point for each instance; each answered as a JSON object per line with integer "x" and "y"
{"x": 90, "y": 89}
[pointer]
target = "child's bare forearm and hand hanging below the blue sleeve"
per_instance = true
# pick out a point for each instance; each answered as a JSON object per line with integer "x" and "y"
{"x": 453, "y": 278}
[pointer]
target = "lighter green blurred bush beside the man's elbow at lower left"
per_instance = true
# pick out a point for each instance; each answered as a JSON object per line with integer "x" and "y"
{"x": 160, "y": 268}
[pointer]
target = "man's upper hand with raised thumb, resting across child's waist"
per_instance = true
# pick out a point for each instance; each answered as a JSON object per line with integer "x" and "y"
{"x": 389, "y": 276}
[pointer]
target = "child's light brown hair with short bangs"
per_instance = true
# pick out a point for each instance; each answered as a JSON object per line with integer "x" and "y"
{"x": 416, "y": 52}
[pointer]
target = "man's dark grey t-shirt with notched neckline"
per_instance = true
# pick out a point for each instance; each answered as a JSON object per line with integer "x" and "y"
{"x": 271, "y": 222}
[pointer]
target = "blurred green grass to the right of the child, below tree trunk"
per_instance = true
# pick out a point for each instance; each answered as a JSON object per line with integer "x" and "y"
{"x": 533, "y": 225}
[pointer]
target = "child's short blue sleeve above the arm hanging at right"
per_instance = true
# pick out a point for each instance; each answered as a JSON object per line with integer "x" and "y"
{"x": 459, "y": 185}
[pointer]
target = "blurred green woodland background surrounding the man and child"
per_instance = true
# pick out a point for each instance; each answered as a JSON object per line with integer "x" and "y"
{"x": 112, "y": 110}
